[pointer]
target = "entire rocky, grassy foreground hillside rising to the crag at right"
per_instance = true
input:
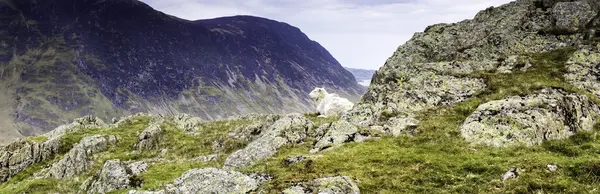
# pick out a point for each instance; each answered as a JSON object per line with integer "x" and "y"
{"x": 507, "y": 102}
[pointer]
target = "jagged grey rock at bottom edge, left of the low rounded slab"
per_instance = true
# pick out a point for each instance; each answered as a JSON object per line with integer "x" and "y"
{"x": 115, "y": 175}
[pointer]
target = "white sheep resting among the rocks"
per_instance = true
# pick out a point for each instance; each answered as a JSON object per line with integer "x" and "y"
{"x": 330, "y": 104}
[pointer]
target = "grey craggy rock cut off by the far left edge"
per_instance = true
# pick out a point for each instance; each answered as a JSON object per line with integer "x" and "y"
{"x": 18, "y": 155}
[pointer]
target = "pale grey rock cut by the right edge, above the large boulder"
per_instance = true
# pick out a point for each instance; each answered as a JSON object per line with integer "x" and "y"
{"x": 583, "y": 70}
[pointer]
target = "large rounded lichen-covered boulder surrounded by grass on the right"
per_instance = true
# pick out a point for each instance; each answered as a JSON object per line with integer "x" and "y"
{"x": 548, "y": 115}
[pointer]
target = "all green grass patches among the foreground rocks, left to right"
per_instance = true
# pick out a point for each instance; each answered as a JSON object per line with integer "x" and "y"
{"x": 436, "y": 160}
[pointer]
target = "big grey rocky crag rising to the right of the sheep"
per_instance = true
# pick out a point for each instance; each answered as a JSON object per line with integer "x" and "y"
{"x": 430, "y": 69}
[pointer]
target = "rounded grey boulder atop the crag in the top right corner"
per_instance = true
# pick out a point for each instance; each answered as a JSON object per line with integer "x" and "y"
{"x": 572, "y": 16}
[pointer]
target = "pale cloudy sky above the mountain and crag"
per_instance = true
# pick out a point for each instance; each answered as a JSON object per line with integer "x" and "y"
{"x": 358, "y": 33}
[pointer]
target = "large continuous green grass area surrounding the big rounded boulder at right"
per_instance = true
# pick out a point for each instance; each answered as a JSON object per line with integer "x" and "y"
{"x": 438, "y": 160}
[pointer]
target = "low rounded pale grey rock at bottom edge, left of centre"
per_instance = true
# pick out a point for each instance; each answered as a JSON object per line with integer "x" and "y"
{"x": 211, "y": 180}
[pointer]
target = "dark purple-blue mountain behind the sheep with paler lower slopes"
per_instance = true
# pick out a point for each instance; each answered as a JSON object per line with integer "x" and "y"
{"x": 64, "y": 59}
